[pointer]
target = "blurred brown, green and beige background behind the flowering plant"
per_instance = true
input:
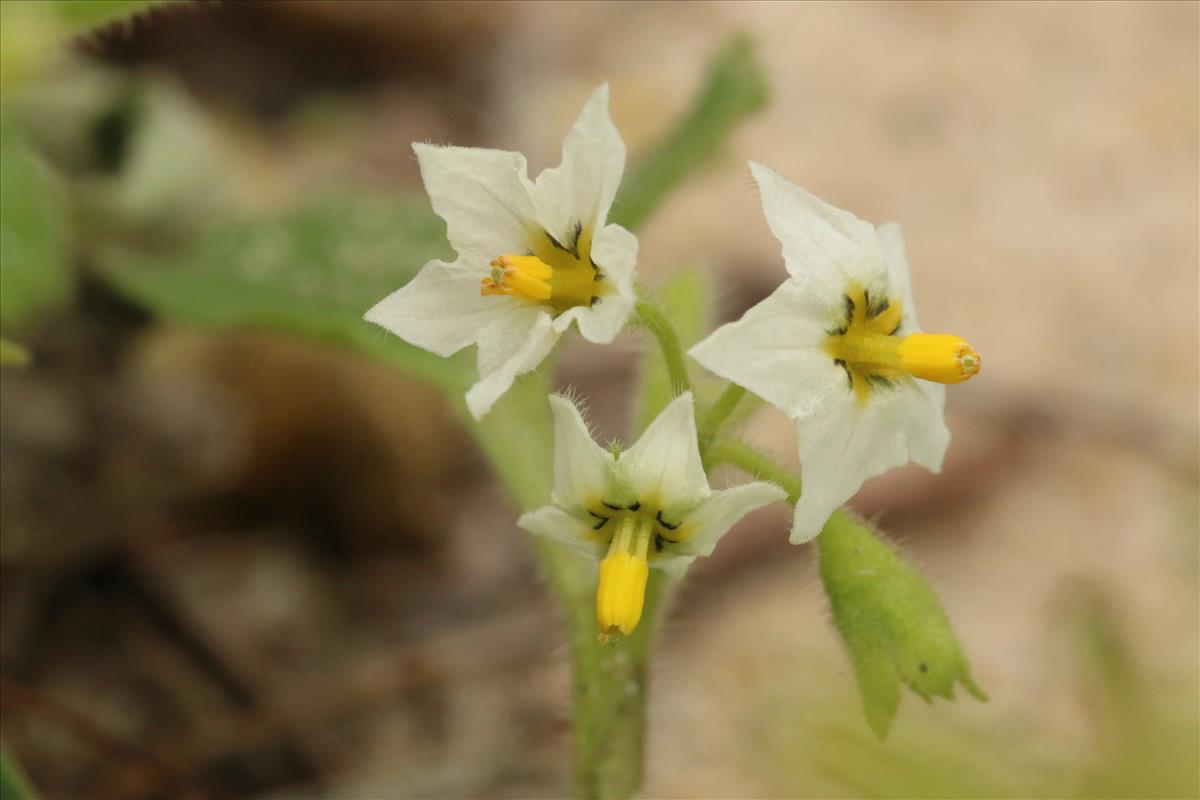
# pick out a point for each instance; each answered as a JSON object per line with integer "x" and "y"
{"x": 242, "y": 562}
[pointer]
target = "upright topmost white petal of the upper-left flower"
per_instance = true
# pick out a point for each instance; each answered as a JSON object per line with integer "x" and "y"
{"x": 583, "y": 188}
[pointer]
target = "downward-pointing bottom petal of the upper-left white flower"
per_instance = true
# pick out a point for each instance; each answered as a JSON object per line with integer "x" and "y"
{"x": 509, "y": 347}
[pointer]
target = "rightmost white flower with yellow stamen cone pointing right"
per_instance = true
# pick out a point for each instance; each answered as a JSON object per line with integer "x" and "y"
{"x": 838, "y": 348}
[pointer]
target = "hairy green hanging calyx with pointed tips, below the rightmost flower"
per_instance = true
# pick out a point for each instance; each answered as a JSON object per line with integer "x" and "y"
{"x": 891, "y": 622}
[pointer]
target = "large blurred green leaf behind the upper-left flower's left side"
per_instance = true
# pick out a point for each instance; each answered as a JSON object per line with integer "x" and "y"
{"x": 309, "y": 273}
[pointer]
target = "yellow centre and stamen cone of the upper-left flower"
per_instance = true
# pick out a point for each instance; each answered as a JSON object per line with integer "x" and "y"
{"x": 553, "y": 273}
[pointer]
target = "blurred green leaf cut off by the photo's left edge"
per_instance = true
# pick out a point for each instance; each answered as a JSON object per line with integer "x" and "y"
{"x": 34, "y": 268}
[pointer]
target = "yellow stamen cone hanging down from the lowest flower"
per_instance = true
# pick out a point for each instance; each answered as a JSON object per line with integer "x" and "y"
{"x": 623, "y": 576}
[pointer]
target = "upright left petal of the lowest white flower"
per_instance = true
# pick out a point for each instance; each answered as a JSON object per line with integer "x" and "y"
{"x": 581, "y": 466}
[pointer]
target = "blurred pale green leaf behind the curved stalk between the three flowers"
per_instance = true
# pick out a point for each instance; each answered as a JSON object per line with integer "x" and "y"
{"x": 687, "y": 299}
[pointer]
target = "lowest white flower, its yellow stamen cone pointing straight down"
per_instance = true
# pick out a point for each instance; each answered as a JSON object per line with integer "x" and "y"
{"x": 649, "y": 507}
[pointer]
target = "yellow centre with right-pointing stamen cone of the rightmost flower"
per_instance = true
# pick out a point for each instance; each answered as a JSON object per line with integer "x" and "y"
{"x": 869, "y": 348}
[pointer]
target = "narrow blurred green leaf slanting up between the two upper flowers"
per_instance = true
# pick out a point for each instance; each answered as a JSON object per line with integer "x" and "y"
{"x": 735, "y": 88}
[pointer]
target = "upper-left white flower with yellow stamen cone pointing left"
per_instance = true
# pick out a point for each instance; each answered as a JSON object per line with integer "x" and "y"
{"x": 532, "y": 256}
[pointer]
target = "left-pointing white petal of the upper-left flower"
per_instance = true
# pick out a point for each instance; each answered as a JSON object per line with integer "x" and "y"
{"x": 441, "y": 310}
